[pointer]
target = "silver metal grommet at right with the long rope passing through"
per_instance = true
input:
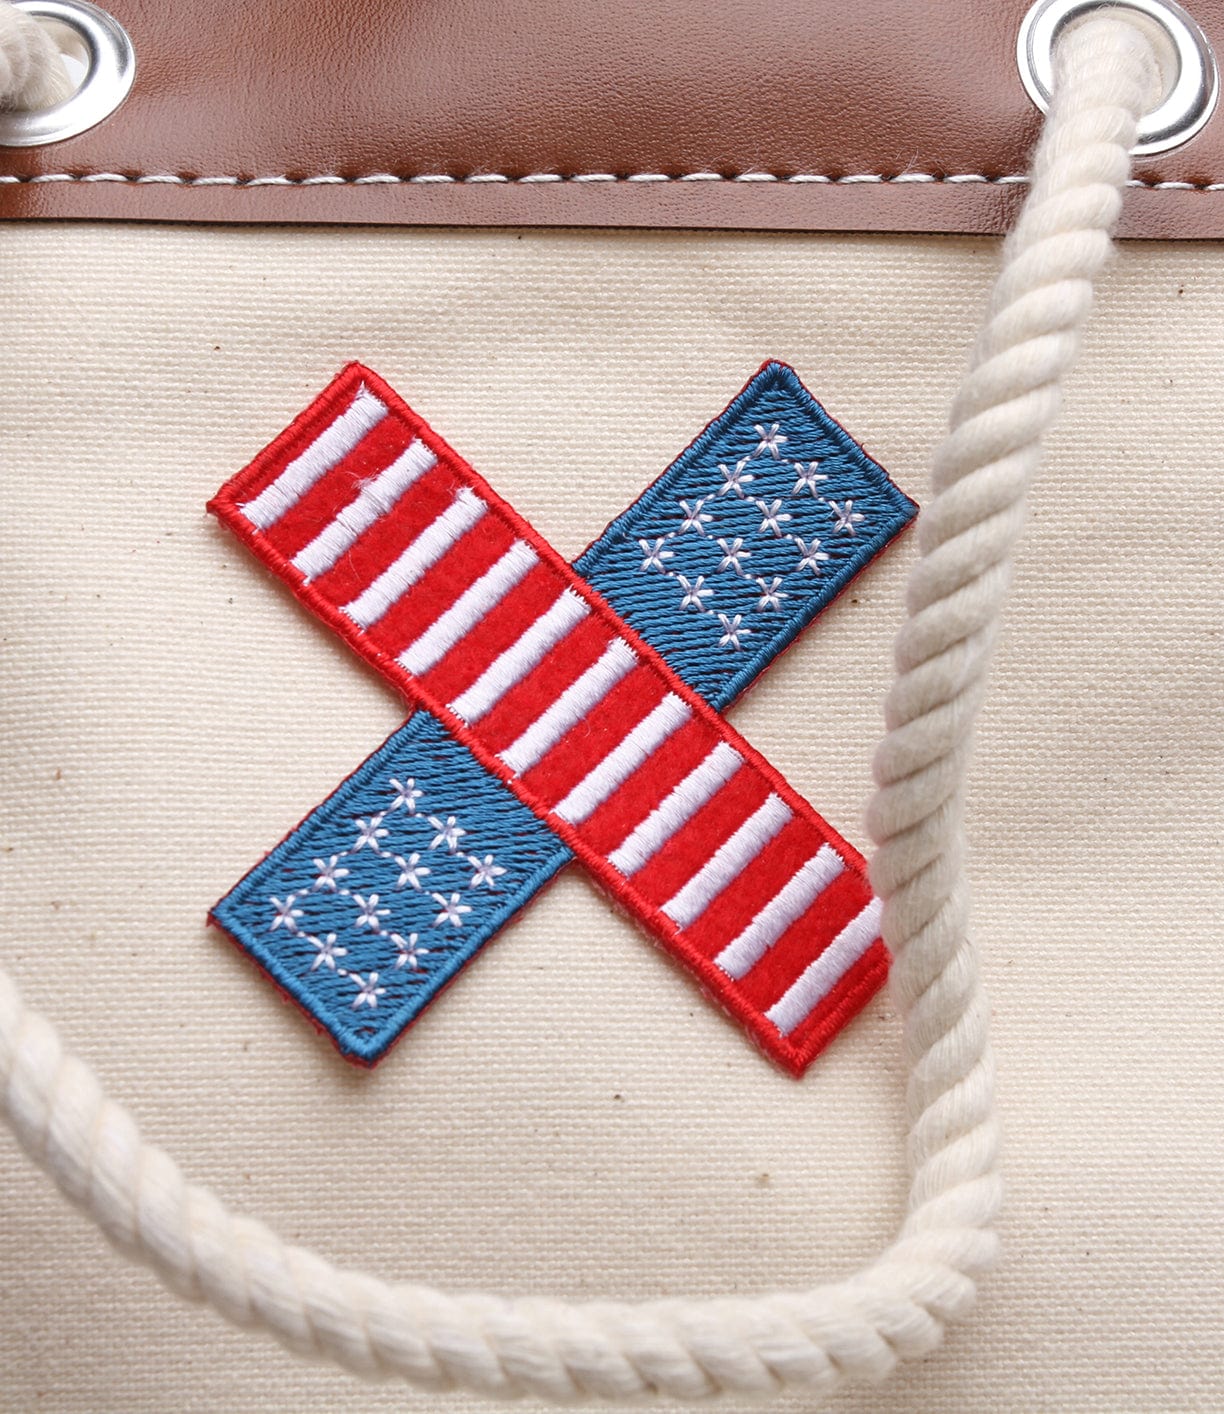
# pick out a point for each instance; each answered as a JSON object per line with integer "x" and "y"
{"x": 1196, "y": 87}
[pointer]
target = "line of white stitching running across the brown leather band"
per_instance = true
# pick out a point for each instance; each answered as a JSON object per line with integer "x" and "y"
{"x": 541, "y": 179}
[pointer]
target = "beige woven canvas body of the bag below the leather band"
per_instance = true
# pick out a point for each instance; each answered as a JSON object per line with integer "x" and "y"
{"x": 573, "y": 1116}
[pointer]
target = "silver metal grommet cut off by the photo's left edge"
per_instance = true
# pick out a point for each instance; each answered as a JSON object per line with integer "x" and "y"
{"x": 110, "y": 63}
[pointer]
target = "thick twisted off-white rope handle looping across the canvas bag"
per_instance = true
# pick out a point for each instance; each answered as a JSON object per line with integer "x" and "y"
{"x": 898, "y": 1307}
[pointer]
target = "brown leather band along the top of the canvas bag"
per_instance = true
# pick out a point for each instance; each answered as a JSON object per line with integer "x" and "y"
{"x": 787, "y": 115}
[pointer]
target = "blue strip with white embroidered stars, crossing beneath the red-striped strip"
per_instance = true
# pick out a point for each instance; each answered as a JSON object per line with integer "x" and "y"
{"x": 372, "y": 906}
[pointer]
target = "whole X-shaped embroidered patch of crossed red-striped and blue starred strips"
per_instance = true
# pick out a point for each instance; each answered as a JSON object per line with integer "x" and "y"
{"x": 565, "y": 711}
